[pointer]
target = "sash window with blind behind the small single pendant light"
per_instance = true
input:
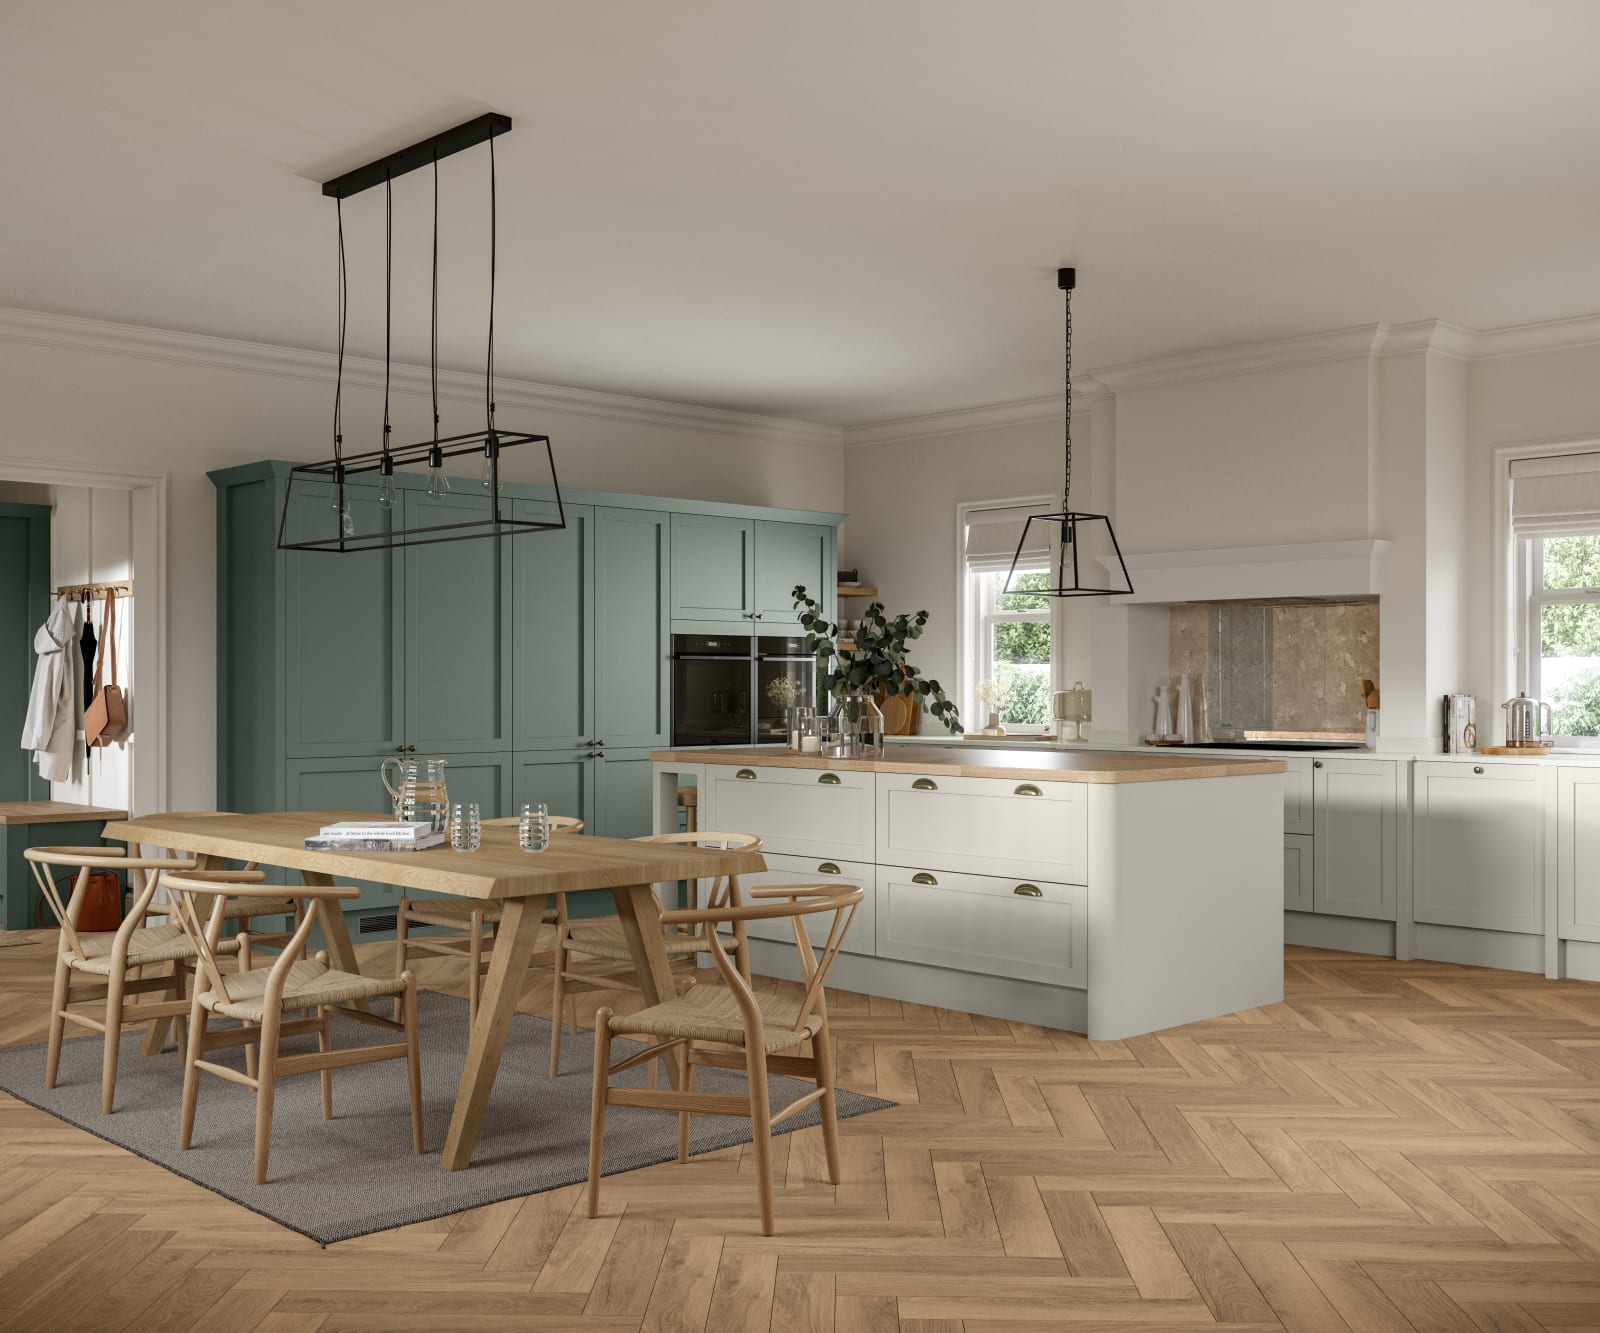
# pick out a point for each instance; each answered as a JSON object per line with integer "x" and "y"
{"x": 1007, "y": 638}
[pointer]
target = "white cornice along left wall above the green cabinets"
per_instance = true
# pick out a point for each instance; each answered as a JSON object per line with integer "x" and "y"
{"x": 122, "y": 340}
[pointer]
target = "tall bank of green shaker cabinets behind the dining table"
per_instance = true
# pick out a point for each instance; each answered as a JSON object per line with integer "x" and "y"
{"x": 538, "y": 665}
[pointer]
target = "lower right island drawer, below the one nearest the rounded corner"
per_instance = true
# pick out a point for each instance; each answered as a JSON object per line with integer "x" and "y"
{"x": 1031, "y": 931}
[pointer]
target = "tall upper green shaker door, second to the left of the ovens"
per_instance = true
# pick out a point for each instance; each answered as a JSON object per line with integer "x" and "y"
{"x": 554, "y": 630}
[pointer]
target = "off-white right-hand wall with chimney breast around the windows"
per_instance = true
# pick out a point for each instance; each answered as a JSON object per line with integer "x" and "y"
{"x": 1394, "y": 446}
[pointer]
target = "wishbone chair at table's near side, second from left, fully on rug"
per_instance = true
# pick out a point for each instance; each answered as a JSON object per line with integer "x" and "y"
{"x": 260, "y": 998}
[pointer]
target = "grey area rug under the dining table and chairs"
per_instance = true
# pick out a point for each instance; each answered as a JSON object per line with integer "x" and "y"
{"x": 335, "y": 1180}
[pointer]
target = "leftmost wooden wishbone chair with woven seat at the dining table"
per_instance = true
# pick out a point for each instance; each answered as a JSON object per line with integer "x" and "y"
{"x": 108, "y": 967}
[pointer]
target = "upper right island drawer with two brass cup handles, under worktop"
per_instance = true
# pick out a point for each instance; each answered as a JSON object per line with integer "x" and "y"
{"x": 985, "y": 825}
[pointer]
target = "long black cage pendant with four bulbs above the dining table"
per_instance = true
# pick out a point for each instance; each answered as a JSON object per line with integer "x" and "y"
{"x": 438, "y": 521}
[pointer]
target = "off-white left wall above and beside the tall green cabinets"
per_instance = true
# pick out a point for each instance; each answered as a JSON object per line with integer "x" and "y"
{"x": 154, "y": 410}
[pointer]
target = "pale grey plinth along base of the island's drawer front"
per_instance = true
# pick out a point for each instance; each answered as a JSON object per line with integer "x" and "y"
{"x": 943, "y": 988}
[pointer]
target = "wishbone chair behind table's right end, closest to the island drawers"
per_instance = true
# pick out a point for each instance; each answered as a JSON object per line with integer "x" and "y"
{"x": 602, "y": 939}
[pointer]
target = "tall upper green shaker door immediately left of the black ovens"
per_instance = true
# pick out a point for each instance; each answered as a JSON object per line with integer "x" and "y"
{"x": 633, "y": 679}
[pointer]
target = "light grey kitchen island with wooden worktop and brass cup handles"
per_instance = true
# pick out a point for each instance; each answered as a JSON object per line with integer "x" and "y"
{"x": 1102, "y": 894}
